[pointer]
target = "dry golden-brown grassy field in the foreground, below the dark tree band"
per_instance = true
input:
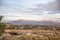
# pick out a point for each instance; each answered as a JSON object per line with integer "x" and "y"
{"x": 32, "y": 35}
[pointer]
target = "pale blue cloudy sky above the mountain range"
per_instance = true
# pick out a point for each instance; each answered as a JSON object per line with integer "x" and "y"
{"x": 29, "y": 10}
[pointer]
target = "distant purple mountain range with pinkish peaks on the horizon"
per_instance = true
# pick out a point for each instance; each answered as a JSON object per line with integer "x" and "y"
{"x": 32, "y": 22}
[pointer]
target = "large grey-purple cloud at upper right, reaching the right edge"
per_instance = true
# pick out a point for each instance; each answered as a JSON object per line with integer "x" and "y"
{"x": 53, "y": 7}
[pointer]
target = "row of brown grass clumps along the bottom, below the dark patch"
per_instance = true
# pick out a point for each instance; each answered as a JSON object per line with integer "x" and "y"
{"x": 29, "y": 36}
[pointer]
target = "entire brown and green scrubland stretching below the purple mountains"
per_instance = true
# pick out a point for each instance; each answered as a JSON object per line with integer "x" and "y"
{"x": 29, "y": 32}
